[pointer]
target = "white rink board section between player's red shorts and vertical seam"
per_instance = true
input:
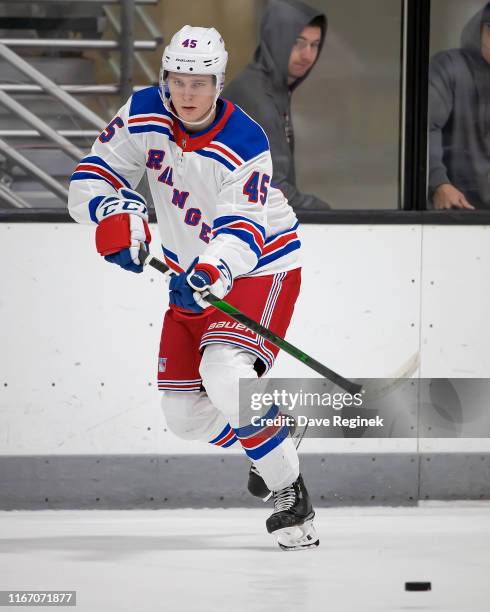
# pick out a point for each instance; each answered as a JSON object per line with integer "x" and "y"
{"x": 358, "y": 311}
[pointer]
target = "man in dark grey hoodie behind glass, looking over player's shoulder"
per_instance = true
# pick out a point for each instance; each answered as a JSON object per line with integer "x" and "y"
{"x": 291, "y": 39}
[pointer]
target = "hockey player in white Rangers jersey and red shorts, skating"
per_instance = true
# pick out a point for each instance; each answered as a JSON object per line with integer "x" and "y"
{"x": 224, "y": 228}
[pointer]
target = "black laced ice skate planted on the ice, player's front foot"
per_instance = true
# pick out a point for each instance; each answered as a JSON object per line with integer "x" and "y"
{"x": 292, "y": 519}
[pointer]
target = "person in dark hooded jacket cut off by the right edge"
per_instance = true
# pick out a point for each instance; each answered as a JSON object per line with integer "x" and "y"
{"x": 459, "y": 120}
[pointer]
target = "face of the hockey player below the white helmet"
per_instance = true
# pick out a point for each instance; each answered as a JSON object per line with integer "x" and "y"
{"x": 192, "y": 95}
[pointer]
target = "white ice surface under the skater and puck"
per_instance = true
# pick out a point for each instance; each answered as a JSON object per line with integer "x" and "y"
{"x": 213, "y": 560}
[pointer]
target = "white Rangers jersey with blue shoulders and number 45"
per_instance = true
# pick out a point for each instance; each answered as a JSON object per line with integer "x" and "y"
{"x": 211, "y": 190}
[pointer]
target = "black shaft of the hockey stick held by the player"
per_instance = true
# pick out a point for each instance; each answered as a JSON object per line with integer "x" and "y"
{"x": 349, "y": 386}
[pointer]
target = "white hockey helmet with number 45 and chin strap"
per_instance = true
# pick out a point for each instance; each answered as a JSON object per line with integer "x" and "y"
{"x": 194, "y": 50}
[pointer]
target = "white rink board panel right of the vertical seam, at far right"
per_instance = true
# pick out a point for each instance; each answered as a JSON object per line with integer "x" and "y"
{"x": 455, "y": 327}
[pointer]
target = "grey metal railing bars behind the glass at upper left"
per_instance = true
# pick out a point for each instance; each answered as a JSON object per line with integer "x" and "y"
{"x": 128, "y": 47}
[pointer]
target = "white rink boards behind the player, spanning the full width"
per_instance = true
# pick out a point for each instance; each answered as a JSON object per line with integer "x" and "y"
{"x": 80, "y": 337}
